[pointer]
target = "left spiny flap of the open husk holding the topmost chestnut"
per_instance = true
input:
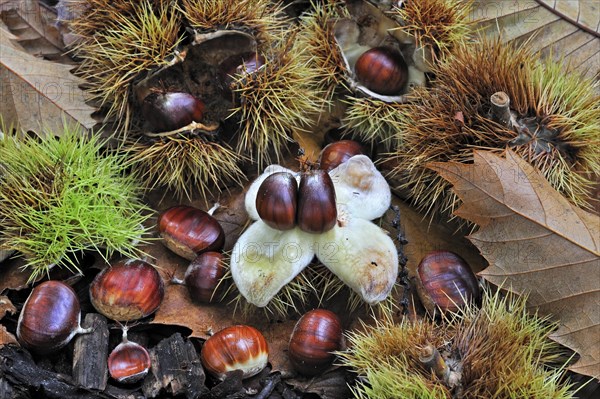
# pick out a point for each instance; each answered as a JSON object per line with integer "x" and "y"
{"x": 317, "y": 36}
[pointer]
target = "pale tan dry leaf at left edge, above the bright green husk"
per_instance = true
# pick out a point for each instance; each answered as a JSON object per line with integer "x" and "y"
{"x": 36, "y": 94}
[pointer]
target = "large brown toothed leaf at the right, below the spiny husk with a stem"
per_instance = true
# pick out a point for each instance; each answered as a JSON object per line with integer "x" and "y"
{"x": 537, "y": 243}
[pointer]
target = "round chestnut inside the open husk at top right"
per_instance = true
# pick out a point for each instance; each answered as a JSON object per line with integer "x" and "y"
{"x": 382, "y": 70}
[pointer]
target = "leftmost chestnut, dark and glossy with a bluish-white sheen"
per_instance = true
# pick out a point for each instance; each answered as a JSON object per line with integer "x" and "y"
{"x": 50, "y": 318}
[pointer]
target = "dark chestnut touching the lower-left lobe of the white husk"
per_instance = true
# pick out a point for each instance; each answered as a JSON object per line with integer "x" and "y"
{"x": 204, "y": 277}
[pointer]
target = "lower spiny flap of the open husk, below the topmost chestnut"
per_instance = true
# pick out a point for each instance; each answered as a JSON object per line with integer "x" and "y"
{"x": 374, "y": 121}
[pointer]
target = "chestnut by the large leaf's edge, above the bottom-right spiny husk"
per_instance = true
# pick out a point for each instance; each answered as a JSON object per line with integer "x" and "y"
{"x": 445, "y": 282}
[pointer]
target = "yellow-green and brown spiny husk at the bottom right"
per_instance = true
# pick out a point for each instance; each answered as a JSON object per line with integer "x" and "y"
{"x": 500, "y": 351}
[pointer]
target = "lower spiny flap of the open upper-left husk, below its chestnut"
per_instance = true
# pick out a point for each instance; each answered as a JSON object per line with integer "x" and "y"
{"x": 185, "y": 164}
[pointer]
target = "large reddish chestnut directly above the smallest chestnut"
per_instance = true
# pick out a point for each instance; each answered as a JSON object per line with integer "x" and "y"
{"x": 127, "y": 290}
